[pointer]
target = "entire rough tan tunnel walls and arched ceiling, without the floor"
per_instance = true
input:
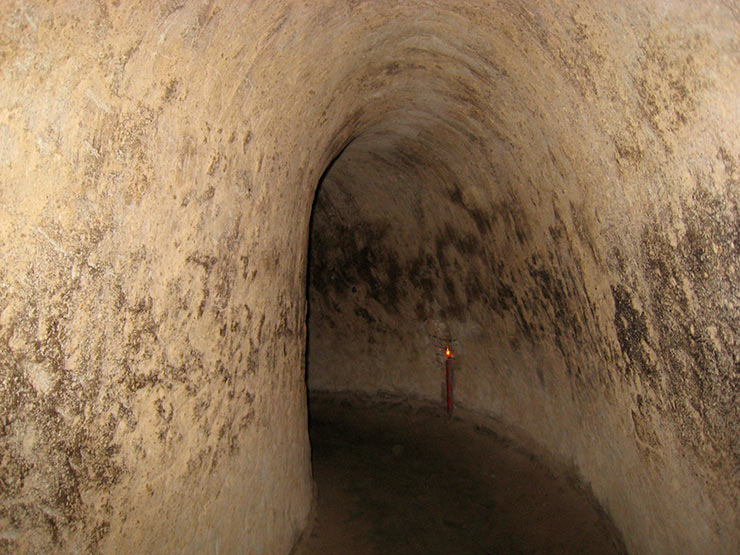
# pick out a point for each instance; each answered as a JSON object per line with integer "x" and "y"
{"x": 211, "y": 208}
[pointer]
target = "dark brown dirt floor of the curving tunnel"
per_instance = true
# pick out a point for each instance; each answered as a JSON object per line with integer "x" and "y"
{"x": 402, "y": 477}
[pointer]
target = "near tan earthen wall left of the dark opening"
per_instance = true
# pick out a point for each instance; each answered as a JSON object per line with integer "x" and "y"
{"x": 152, "y": 305}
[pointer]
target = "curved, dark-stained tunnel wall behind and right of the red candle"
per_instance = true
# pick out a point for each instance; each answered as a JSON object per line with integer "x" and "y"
{"x": 558, "y": 201}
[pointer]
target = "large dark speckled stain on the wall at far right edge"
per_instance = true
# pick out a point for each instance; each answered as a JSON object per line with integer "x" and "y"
{"x": 696, "y": 312}
